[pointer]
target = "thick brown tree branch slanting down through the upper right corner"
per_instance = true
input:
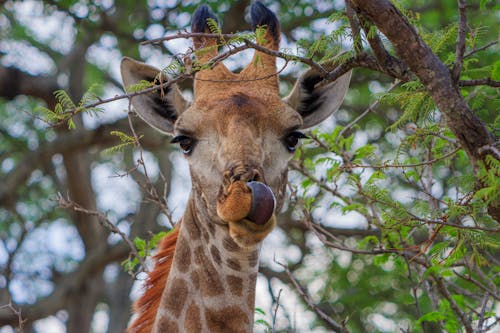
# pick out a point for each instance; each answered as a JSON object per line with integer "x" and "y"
{"x": 433, "y": 74}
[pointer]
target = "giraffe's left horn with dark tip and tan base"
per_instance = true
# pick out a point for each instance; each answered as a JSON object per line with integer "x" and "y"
{"x": 206, "y": 48}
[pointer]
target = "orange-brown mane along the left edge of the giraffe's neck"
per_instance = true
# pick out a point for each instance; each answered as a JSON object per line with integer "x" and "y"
{"x": 147, "y": 305}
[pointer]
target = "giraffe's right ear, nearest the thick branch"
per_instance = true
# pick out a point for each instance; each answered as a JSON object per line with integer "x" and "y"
{"x": 313, "y": 103}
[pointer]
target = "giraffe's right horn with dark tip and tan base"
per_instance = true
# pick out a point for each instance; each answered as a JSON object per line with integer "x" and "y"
{"x": 264, "y": 65}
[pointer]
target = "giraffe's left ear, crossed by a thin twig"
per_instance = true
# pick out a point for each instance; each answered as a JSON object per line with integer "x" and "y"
{"x": 158, "y": 110}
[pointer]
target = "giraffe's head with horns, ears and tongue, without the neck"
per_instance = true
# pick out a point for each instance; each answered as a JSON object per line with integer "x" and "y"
{"x": 238, "y": 134}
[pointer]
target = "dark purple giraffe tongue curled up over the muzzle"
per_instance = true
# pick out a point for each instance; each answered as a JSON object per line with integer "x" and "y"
{"x": 263, "y": 203}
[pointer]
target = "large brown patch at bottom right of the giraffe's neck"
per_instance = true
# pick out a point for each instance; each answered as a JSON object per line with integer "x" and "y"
{"x": 228, "y": 319}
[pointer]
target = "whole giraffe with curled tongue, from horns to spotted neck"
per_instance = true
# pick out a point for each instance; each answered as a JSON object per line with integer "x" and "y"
{"x": 238, "y": 136}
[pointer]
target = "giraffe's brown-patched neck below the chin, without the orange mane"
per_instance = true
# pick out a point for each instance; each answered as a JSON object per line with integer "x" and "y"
{"x": 211, "y": 285}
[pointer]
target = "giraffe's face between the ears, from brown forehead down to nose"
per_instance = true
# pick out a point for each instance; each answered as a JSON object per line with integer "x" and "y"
{"x": 237, "y": 138}
